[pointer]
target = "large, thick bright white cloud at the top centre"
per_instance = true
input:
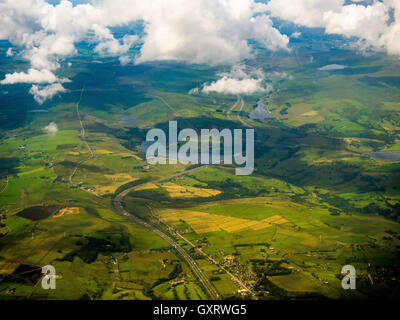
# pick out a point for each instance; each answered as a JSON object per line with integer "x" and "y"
{"x": 204, "y": 31}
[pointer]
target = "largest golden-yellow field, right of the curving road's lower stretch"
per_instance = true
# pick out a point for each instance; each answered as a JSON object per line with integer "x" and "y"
{"x": 202, "y": 222}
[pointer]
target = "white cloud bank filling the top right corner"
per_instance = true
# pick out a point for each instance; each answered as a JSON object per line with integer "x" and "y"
{"x": 370, "y": 21}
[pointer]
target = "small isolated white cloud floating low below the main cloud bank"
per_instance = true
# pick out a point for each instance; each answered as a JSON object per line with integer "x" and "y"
{"x": 240, "y": 80}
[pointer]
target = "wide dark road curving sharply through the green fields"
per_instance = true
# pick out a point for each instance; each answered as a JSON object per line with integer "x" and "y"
{"x": 118, "y": 204}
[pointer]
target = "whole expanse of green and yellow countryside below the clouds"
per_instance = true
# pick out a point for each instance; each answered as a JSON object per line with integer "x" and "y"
{"x": 325, "y": 191}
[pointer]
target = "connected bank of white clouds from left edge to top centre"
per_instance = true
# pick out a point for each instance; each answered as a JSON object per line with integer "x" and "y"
{"x": 202, "y": 31}
